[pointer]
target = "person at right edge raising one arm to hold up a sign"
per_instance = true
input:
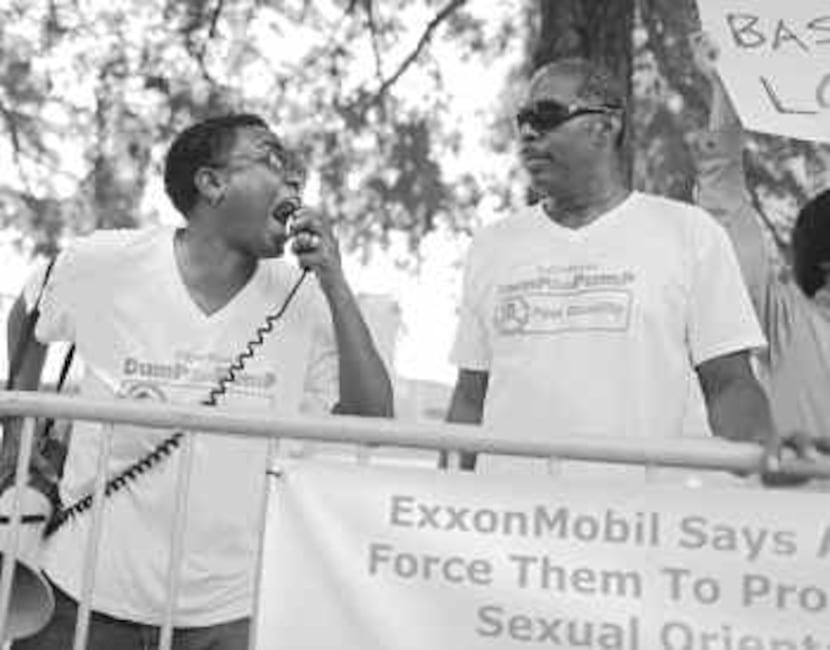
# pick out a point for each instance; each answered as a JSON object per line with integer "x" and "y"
{"x": 792, "y": 304}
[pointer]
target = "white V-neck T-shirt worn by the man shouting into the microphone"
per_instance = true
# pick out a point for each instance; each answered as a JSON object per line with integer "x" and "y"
{"x": 120, "y": 298}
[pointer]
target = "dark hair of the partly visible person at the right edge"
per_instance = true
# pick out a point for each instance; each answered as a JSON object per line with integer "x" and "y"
{"x": 811, "y": 243}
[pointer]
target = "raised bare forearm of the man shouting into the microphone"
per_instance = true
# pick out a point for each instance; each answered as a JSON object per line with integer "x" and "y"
{"x": 365, "y": 387}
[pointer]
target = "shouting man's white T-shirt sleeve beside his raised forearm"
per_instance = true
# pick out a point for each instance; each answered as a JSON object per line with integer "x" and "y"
{"x": 321, "y": 388}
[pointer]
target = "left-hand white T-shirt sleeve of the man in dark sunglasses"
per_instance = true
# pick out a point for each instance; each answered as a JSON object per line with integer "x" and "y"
{"x": 471, "y": 347}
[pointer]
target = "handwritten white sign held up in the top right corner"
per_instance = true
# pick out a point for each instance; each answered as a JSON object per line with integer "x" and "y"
{"x": 775, "y": 62}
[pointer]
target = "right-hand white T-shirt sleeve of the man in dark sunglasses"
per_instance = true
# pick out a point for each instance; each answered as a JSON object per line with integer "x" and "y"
{"x": 721, "y": 319}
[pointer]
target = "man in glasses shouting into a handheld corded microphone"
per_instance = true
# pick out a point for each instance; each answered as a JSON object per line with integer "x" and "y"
{"x": 161, "y": 314}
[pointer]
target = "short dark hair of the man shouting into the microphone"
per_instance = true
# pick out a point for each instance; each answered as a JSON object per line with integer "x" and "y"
{"x": 199, "y": 145}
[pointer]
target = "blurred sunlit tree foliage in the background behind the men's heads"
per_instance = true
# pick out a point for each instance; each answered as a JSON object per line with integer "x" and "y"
{"x": 92, "y": 93}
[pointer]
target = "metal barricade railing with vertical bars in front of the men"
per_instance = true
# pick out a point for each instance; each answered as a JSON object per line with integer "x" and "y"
{"x": 690, "y": 453}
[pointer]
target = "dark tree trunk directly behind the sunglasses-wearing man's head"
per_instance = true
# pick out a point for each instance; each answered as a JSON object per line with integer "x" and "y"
{"x": 593, "y": 29}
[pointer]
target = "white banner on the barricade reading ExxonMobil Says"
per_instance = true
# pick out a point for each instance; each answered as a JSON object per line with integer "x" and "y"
{"x": 369, "y": 558}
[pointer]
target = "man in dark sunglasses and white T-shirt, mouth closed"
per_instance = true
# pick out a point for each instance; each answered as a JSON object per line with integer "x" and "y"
{"x": 591, "y": 312}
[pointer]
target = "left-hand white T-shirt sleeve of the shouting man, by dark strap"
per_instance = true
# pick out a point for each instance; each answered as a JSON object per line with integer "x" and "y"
{"x": 56, "y": 321}
